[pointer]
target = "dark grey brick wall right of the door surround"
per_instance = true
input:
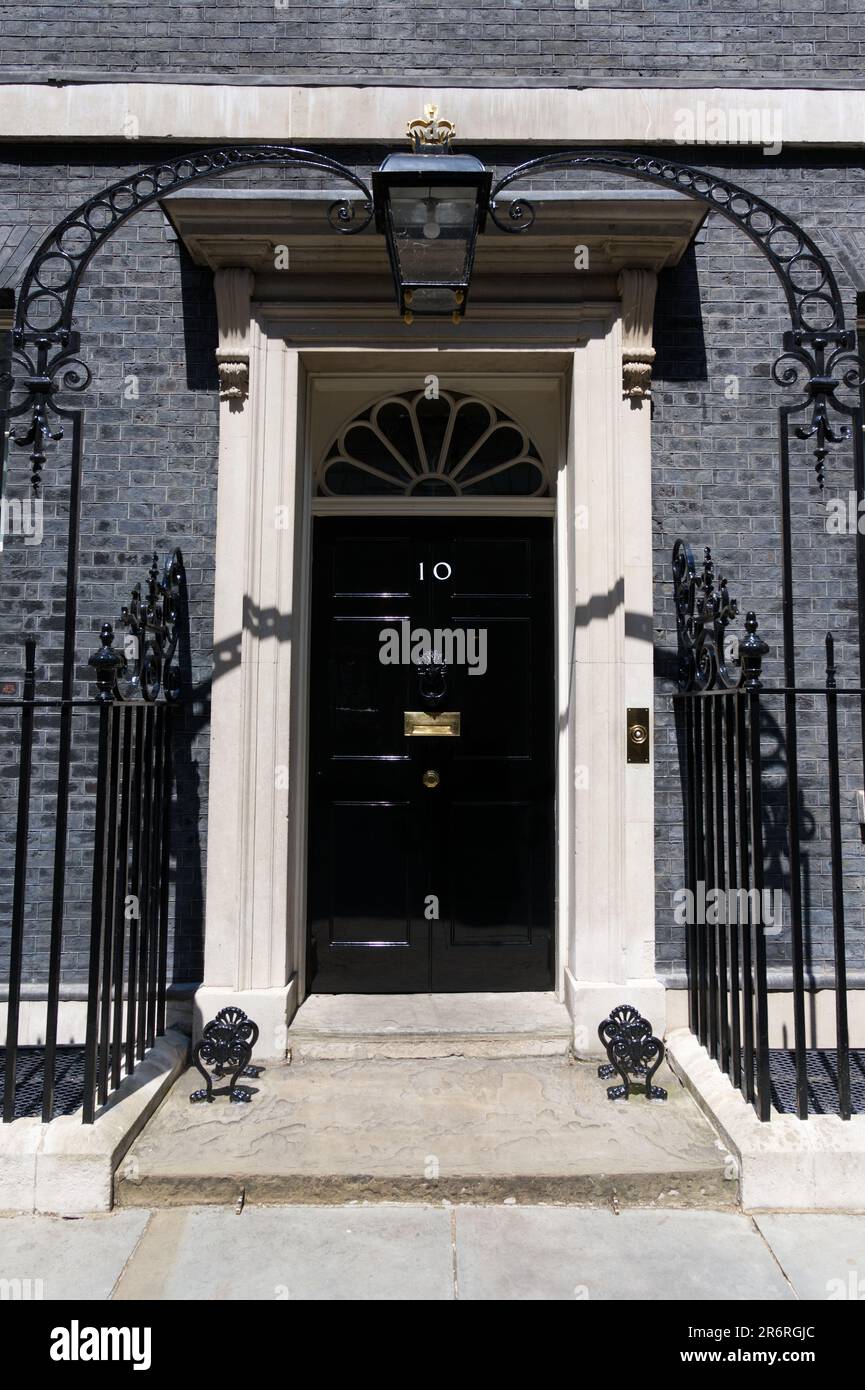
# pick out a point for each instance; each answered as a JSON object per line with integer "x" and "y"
{"x": 720, "y": 326}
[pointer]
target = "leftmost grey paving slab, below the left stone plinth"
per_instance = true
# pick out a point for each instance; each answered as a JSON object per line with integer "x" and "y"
{"x": 56, "y": 1257}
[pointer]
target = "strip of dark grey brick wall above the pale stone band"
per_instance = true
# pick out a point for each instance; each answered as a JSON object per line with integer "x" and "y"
{"x": 560, "y": 42}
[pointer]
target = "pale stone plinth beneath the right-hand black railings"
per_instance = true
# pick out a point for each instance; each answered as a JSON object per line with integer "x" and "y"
{"x": 816, "y": 1166}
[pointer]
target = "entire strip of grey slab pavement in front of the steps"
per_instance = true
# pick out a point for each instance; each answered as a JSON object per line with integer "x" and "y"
{"x": 433, "y": 1253}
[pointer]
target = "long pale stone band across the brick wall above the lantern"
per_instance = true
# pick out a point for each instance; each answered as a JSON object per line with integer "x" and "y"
{"x": 175, "y": 112}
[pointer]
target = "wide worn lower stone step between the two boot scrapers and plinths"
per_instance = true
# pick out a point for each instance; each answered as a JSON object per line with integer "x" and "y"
{"x": 458, "y": 1129}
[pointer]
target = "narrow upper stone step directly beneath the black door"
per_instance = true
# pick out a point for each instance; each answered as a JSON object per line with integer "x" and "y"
{"x": 368, "y": 1028}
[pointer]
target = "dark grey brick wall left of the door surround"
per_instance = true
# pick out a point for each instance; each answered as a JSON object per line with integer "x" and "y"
{"x": 149, "y": 484}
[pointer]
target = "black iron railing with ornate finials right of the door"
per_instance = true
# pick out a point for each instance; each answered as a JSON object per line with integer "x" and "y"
{"x": 735, "y": 849}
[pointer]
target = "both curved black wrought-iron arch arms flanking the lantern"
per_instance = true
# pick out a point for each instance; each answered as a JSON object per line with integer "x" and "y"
{"x": 48, "y": 351}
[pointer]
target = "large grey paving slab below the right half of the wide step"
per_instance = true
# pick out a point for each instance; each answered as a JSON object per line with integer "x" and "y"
{"x": 569, "y": 1254}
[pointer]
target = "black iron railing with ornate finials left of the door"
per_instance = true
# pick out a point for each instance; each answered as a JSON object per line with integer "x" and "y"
{"x": 124, "y": 821}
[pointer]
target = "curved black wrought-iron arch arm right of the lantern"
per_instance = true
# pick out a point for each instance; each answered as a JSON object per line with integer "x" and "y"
{"x": 818, "y": 351}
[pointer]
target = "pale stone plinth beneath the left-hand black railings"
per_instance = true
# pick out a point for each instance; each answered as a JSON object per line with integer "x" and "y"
{"x": 67, "y": 1168}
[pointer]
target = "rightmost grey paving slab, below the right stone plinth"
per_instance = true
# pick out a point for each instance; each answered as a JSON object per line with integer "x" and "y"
{"x": 823, "y": 1254}
